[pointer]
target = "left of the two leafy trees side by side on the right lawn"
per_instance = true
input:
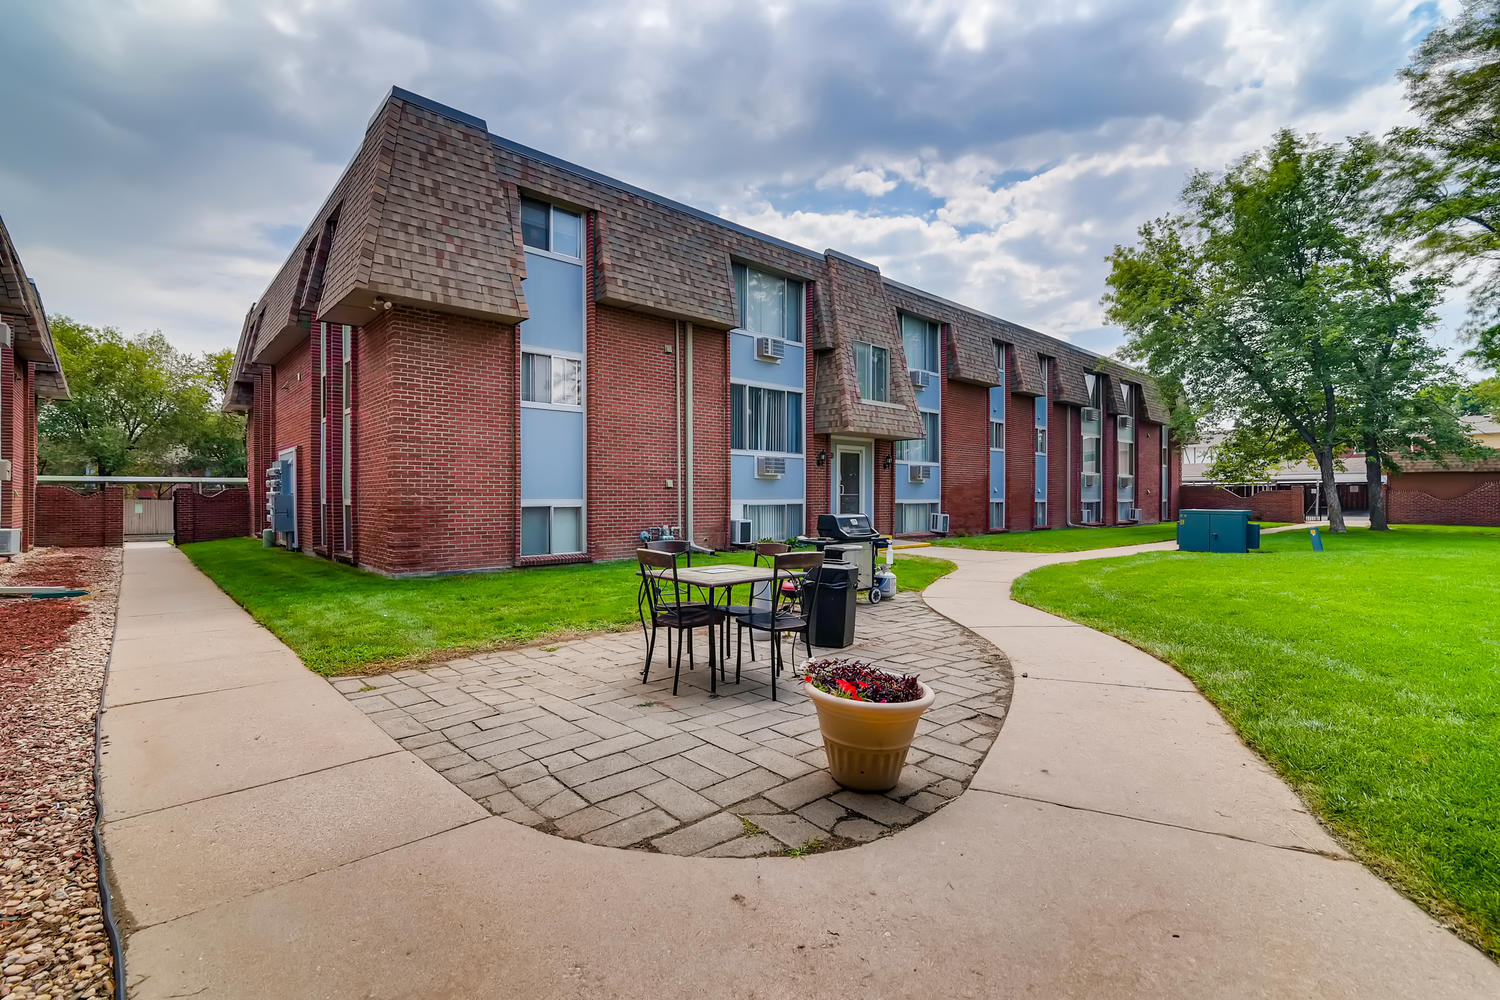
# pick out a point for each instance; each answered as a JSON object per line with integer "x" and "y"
{"x": 1235, "y": 296}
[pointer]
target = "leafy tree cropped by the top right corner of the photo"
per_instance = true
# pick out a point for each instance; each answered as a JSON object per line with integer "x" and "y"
{"x": 1447, "y": 170}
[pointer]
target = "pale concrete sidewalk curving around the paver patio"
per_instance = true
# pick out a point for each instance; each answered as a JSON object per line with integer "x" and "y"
{"x": 1118, "y": 842}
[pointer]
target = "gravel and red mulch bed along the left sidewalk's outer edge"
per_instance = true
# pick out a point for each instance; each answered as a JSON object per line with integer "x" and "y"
{"x": 53, "y": 941}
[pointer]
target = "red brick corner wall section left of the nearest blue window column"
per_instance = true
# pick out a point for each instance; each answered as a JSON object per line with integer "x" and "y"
{"x": 437, "y": 440}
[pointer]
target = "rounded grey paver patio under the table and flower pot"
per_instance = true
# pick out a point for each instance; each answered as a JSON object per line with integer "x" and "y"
{"x": 568, "y": 740}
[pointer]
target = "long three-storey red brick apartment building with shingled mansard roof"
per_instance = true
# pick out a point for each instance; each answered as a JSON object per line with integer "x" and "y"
{"x": 481, "y": 356}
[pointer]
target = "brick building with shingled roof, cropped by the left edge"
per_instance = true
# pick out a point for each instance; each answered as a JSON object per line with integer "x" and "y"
{"x": 29, "y": 373}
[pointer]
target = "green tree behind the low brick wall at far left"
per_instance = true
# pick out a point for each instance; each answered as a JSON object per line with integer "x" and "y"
{"x": 139, "y": 407}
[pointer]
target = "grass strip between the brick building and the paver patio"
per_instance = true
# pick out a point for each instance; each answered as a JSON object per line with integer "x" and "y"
{"x": 347, "y": 621}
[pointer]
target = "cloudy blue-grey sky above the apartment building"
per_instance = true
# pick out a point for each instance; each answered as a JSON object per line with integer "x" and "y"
{"x": 161, "y": 157}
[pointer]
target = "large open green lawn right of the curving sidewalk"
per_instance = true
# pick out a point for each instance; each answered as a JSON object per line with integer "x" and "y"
{"x": 1369, "y": 675}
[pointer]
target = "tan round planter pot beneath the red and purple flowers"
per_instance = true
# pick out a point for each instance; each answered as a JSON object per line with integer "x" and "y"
{"x": 866, "y": 741}
